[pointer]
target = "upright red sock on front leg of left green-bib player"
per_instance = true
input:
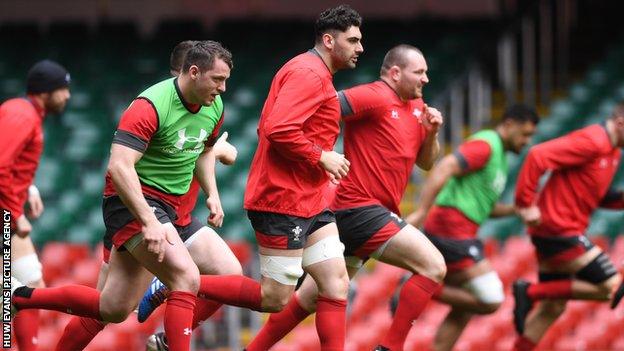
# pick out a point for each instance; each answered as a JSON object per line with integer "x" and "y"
{"x": 178, "y": 320}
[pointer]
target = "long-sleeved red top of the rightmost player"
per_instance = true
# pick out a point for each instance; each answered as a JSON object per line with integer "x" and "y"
{"x": 583, "y": 164}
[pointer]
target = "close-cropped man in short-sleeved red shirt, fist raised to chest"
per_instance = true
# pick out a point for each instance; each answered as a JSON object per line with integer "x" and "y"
{"x": 388, "y": 129}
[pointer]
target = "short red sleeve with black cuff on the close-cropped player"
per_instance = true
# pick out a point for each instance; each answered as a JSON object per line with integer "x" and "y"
{"x": 357, "y": 102}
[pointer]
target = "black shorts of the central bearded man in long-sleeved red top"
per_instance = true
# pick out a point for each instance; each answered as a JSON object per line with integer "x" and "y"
{"x": 280, "y": 231}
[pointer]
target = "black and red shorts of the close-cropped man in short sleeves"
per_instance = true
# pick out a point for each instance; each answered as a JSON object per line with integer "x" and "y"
{"x": 364, "y": 229}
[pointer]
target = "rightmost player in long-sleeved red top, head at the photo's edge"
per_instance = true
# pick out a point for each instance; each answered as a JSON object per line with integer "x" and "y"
{"x": 582, "y": 166}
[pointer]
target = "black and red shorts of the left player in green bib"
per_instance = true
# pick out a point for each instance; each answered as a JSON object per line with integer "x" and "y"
{"x": 121, "y": 224}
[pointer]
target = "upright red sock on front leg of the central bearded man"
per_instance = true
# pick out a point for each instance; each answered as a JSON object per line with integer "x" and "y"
{"x": 331, "y": 323}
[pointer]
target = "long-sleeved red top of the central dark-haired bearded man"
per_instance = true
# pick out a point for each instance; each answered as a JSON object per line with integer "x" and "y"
{"x": 299, "y": 119}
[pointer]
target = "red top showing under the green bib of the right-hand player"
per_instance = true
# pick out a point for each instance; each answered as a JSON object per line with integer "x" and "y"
{"x": 450, "y": 222}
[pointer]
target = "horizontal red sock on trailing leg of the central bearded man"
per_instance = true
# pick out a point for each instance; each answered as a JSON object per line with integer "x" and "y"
{"x": 234, "y": 290}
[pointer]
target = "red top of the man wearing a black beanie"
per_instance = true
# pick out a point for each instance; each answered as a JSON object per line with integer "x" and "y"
{"x": 21, "y": 145}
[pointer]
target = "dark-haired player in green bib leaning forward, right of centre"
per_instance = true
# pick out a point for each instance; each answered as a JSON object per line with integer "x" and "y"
{"x": 461, "y": 192}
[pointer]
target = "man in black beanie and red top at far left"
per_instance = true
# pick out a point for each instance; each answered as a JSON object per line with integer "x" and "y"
{"x": 21, "y": 145}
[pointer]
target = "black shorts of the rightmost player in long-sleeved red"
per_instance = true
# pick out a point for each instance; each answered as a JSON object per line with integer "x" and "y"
{"x": 560, "y": 249}
